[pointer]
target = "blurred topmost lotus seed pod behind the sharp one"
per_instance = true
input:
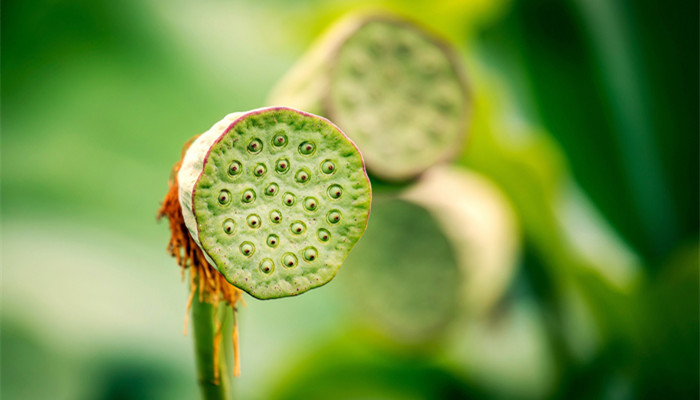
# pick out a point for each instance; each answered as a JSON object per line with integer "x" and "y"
{"x": 396, "y": 89}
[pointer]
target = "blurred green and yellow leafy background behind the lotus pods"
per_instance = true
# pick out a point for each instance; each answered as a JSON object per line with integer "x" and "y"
{"x": 585, "y": 119}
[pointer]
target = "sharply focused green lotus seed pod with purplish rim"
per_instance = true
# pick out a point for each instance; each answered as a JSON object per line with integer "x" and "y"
{"x": 268, "y": 231}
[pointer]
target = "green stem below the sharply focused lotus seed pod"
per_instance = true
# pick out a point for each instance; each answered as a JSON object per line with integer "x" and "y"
{"x": 204, "y": 322}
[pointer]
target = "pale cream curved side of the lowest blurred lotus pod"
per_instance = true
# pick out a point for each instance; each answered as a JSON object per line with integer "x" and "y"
{"x": 480, "y": 224}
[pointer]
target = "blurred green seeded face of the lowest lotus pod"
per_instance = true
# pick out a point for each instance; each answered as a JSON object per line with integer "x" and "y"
{"x": 404, "y": 276}
